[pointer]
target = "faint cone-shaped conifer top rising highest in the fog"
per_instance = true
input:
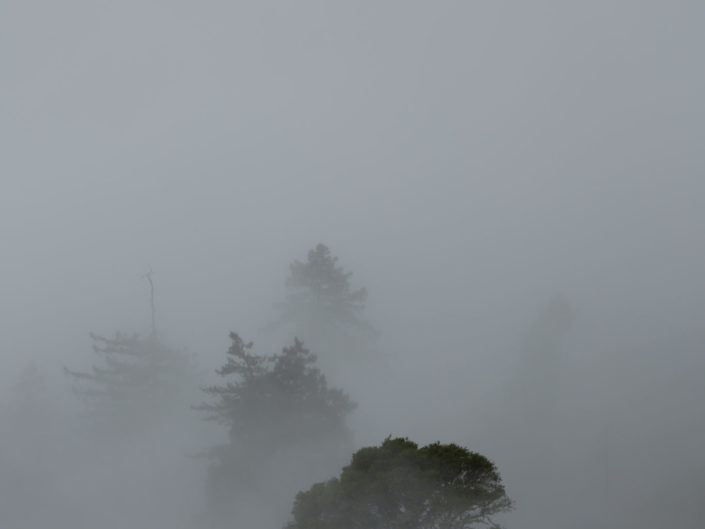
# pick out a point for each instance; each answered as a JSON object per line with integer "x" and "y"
{"x": 322, "y": 306}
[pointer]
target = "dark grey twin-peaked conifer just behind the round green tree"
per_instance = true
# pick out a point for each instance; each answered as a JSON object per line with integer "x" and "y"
{"x": 276, "y": 406}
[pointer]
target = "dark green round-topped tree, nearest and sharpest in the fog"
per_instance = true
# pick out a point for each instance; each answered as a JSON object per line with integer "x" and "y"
{"x": 401, "y": 486}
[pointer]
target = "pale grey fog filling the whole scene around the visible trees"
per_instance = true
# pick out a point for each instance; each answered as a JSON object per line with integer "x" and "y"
{"x": 517, "y": 185}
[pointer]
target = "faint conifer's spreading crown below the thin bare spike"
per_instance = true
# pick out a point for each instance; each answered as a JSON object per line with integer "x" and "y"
{"x": 139, "y": 379}
